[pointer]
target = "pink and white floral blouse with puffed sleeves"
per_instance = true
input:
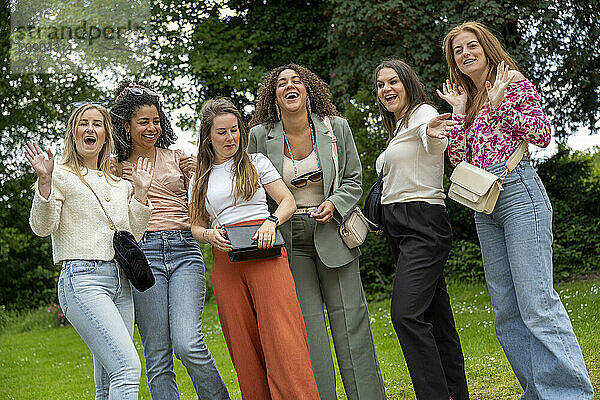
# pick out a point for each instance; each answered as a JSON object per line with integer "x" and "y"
{"x": 496, "y": 134}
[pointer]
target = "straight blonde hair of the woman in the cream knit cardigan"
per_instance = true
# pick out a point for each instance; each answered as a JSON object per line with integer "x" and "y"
{"x": 72, "y": 159}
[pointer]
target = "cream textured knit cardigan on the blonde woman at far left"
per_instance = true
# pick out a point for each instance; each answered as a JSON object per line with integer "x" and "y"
{"x": 72, "y": 215}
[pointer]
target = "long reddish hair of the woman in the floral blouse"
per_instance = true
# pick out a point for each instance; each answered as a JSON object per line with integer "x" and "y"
{"x": 494, "y": 52}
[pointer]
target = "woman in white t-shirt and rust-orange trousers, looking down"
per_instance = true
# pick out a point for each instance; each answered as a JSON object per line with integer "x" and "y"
{"x": 258, "y": 309}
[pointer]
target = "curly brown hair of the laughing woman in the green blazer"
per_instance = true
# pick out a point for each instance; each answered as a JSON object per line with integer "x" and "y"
{"x": 317, "y": 90}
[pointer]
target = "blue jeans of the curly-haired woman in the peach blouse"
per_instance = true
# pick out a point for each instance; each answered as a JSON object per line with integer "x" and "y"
{"x": 169, "y": 317}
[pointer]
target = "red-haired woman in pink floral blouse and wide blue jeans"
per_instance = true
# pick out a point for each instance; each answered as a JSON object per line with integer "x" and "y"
{"x": 498, "y": 109}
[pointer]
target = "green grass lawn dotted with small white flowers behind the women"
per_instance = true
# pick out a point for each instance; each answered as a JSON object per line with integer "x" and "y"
{"x": 54, "y": 363}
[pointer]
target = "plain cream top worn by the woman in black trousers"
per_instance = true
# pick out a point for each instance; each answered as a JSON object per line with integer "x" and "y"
{"x": 414, "y": 162}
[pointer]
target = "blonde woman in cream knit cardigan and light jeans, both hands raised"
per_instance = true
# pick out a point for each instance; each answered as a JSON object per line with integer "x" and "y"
{"x": 92, "y": 289}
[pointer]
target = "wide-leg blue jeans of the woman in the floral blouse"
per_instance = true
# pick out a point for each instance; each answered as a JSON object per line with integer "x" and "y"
{"x": 531, "y": 323}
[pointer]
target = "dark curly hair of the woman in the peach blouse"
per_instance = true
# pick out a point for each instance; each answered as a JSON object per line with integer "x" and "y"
{"x": 126, "y": 104}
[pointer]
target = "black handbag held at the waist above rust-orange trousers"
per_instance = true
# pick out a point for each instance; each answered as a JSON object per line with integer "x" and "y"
{"x": 246, "y": 249}
